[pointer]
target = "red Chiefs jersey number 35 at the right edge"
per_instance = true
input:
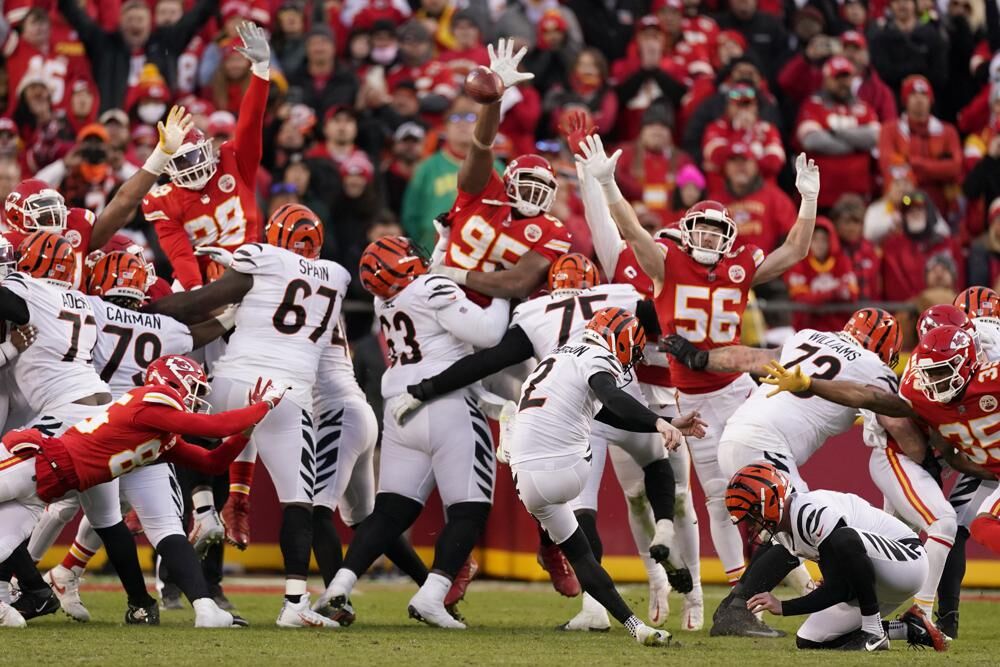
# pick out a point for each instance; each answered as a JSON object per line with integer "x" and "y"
{"x": 971, "y": 421}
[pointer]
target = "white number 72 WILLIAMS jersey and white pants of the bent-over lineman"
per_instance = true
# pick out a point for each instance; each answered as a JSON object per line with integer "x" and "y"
{"x": 800, "y": 422}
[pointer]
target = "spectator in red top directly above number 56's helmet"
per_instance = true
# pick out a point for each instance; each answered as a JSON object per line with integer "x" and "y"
{"x": 763, "y": 213}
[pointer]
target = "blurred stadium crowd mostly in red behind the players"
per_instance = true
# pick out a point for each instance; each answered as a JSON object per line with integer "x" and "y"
{"x": 899, "y": 102}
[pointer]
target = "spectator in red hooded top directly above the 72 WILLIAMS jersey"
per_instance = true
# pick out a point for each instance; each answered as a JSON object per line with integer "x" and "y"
{"x": 825, "y": 276}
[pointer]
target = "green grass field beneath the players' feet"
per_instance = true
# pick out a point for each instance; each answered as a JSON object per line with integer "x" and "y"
{"x": 509, "y": 624}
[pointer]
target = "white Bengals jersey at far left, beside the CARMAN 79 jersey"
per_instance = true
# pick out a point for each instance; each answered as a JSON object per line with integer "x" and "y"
{"x": 58, "y": 368}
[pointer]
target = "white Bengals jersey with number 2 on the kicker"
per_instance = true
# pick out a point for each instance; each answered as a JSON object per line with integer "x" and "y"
{"x": 557, "y": 405}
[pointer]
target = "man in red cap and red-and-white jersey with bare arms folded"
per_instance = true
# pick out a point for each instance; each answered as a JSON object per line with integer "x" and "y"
{"x": 839, "y": 131}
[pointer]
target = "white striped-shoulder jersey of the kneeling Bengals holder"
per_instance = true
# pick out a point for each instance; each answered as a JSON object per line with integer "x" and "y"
{"x": 815, "y": 514}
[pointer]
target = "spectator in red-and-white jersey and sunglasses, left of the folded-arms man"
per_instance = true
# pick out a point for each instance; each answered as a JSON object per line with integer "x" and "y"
{"x": 742, "y": 124}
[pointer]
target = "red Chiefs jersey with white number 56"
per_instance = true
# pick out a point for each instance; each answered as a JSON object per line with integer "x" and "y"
{"x": 705, "y": 304}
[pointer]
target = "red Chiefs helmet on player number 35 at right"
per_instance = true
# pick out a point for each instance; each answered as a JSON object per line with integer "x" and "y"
{"x": 944, "y": 361}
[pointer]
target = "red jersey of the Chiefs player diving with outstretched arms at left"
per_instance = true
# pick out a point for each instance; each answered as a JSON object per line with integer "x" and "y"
{"x": 139, "y": 428}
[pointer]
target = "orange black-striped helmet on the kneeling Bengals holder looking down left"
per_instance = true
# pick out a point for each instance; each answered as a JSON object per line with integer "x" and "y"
{"x": 757, "y": 494}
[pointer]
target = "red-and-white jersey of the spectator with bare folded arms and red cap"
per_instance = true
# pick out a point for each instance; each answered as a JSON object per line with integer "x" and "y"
{"x": 842, "y": 173}
